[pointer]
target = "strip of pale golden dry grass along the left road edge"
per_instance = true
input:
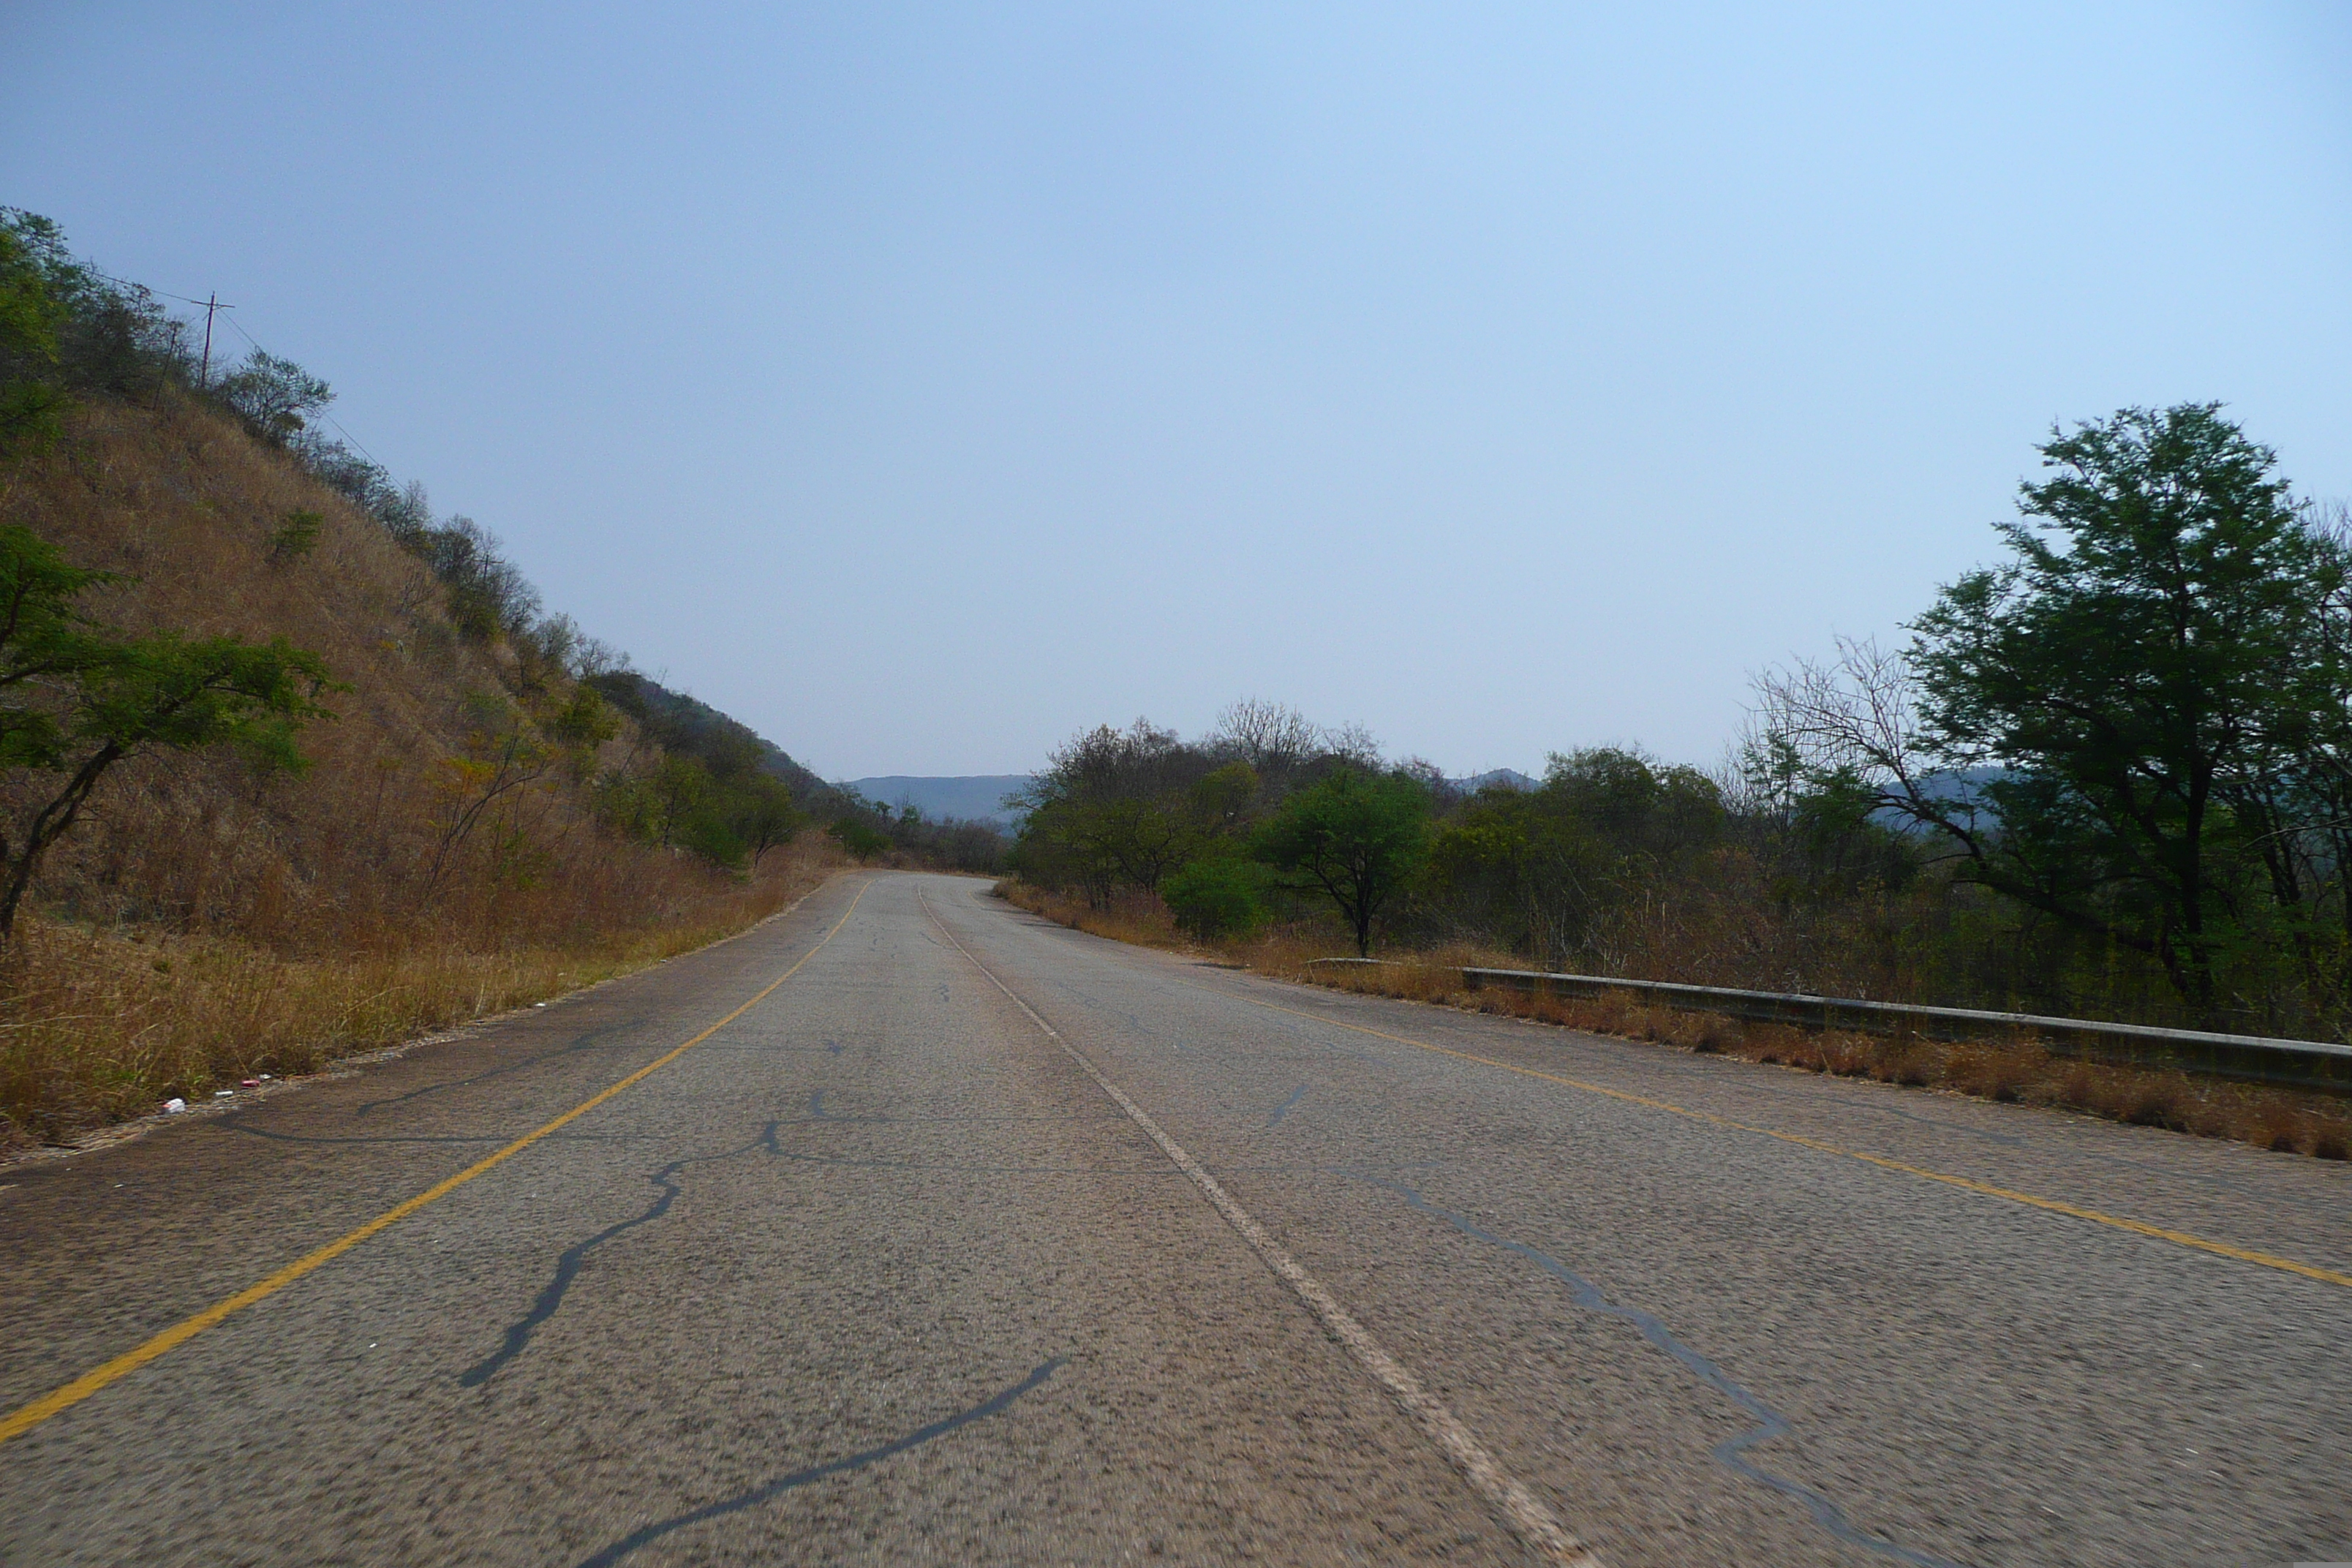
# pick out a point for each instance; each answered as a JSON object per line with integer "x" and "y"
{"x": 105, "y": 1024}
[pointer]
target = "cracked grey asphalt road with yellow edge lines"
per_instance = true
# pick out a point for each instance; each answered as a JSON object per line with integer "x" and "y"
{"x": 987, "y": 1242}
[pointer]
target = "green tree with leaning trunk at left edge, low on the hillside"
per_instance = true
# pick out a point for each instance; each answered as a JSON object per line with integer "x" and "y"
{"x": 79, "y": 699}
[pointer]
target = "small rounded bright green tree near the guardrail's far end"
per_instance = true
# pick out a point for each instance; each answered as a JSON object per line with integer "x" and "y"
{"x": 1356, "y": 838}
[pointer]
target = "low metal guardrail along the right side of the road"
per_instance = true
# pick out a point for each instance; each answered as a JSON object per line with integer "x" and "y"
{"x": 2301, "y": 1064}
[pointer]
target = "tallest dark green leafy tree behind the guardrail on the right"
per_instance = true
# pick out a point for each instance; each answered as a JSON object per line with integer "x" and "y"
{"x": 2153, "y": 641}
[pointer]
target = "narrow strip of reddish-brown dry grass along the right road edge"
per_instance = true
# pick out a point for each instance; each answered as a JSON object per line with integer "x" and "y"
{"x": 2005, "y": 1071}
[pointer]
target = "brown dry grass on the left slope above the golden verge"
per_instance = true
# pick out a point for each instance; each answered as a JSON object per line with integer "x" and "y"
{"x": 185, "y": 507}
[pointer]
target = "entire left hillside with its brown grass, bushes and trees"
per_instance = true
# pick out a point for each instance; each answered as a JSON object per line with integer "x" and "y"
{"x": 295, "y": 768}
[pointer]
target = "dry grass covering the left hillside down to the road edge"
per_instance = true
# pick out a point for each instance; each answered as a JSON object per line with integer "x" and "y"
{"x": 208, "y": 923}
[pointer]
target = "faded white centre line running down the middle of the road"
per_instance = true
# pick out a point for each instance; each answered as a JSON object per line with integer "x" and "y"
{"x": 1535, "y": 1522}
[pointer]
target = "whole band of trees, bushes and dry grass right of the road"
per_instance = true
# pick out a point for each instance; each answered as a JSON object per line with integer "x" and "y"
{"x": 2109, "y": 777}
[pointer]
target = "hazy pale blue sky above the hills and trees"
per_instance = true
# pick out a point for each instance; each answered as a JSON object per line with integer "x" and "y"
{"x": 928, "y": 384}
